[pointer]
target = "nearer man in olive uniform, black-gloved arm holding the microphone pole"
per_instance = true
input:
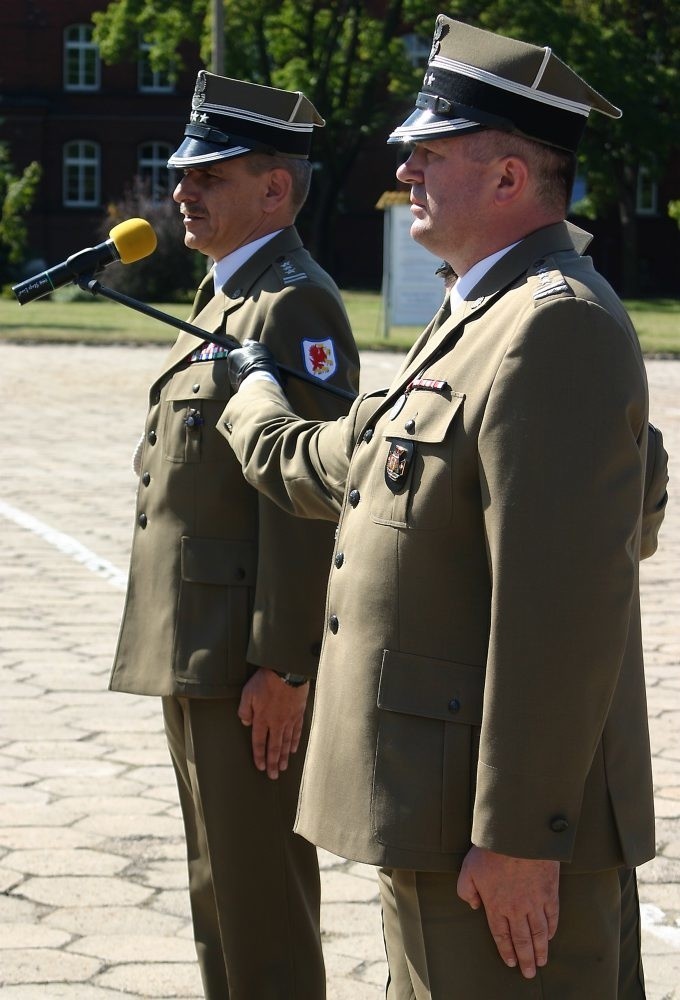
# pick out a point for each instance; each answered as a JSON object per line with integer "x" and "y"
{"x": 482, "y": 622}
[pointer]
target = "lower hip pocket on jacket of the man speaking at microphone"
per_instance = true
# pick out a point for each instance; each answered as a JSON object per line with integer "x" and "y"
{"x": 214, "y": 611}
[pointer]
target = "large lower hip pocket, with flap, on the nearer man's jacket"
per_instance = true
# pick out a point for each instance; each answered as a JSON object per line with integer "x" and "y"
{"x": 429, "y": 720}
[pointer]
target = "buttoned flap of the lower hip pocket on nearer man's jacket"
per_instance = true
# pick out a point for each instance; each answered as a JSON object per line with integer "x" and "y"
{"x": 434, "y": 689}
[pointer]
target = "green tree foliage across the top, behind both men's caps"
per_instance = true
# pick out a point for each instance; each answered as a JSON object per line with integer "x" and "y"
{"x": 349, "y": 58}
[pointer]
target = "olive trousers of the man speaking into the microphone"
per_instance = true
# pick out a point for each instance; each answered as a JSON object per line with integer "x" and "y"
{"x": 253, "y": 883}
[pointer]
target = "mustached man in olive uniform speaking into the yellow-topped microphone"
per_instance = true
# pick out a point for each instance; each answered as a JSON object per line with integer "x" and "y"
{"x": 224, "y": 611}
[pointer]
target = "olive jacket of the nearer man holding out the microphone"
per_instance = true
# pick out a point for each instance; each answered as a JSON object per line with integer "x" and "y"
{"x": 481, "y": 675}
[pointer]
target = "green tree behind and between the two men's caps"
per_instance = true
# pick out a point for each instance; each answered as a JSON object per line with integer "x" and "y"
{"x": 348, "y": 56}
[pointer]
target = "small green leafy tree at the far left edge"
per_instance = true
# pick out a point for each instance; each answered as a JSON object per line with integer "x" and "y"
{"x": 17, "y": 192}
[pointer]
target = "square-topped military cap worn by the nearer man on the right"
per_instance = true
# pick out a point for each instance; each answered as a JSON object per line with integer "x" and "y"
{"x": 476, "y": 79}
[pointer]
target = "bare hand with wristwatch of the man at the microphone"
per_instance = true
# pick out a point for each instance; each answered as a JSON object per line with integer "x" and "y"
{"x": 275, "y": 711}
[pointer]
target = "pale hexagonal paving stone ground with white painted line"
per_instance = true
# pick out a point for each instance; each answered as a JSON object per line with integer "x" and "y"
{"x": 93, "y": 900}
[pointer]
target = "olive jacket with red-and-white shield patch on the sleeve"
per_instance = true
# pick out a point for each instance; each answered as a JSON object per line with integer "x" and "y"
{"x": 221, "y": 580}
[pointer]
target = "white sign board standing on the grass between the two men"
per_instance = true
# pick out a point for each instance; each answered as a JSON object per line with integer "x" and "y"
{"x": 412, "y": 292}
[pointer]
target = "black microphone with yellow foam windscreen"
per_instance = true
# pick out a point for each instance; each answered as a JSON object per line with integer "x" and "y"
{"x": 128, "y": 241}
